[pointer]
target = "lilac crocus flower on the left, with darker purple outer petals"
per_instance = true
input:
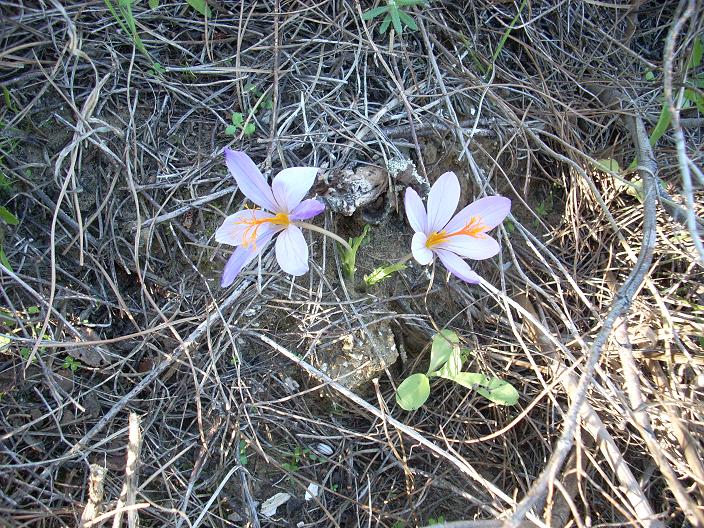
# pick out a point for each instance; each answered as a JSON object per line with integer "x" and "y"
{"x": 251, "y": 230}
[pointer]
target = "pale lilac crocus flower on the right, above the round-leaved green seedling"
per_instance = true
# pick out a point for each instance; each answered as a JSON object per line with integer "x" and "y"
{"x": 454, "y": 238}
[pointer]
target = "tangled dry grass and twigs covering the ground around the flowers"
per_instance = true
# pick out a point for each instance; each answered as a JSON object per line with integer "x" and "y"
{"x": 594, "y": 309}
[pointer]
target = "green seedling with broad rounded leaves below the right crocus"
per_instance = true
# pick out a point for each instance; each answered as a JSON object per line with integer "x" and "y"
{"x": 446, "y": 359}
